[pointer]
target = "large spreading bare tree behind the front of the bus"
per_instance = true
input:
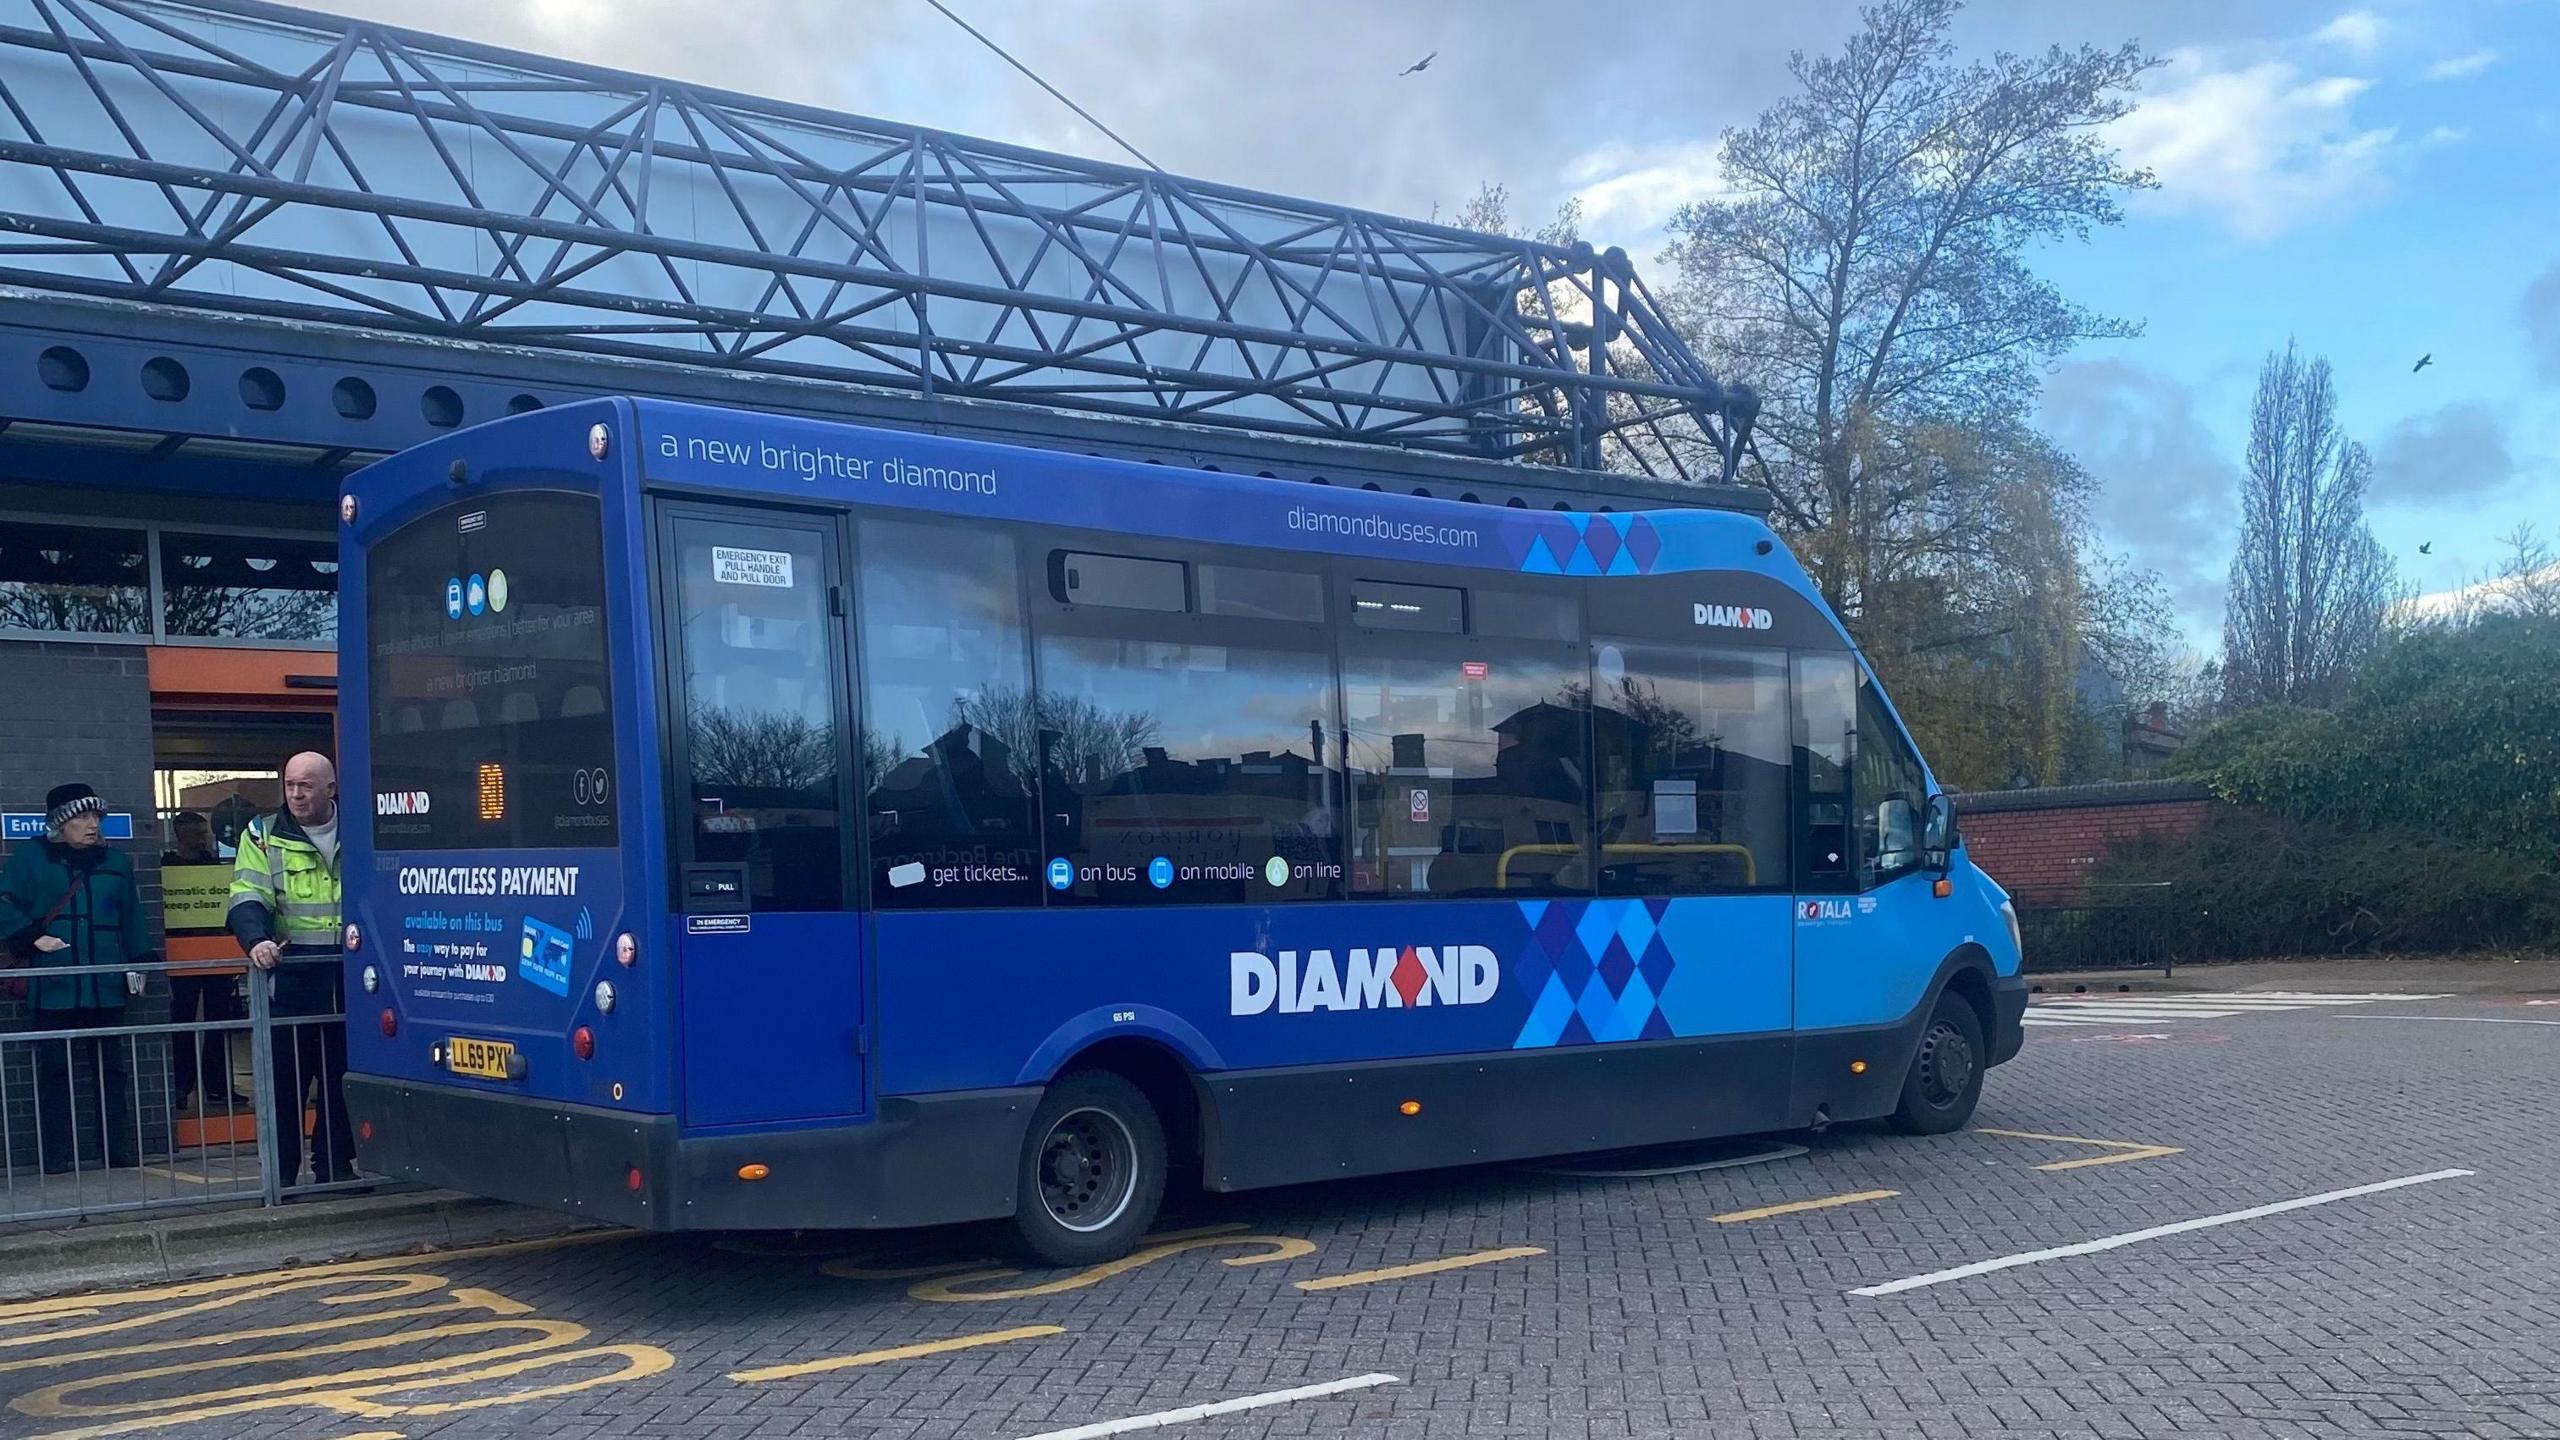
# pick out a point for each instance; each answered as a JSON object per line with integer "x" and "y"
{"x": 1870, "y": 270}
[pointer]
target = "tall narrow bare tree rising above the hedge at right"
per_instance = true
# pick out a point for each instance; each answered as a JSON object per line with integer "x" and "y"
{"x": 2310, "y": 583}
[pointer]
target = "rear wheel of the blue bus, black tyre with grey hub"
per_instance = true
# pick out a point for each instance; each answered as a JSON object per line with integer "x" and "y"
{"x": 1092, "y": 1172}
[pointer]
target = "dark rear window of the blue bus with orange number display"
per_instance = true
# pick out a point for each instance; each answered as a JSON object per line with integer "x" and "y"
{"x": 490, "y": 685}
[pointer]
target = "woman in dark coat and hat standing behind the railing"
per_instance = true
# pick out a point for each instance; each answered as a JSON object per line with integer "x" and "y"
{"x": 70, "y": 901}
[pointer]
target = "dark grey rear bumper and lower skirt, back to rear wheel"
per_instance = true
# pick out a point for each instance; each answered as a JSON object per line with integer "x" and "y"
{"x": 920, "y": 1162}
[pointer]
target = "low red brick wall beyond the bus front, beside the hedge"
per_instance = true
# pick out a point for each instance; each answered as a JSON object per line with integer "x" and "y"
{"x": 2042, "y": 844}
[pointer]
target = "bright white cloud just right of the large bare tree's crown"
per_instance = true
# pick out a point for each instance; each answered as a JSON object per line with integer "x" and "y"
{"x": 2262, "y": 145}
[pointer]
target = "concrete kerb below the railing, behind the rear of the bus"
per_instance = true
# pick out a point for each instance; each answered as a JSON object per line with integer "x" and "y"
{"x": 232, "y": 1241}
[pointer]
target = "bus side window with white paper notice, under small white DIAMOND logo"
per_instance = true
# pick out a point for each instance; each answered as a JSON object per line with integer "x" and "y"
{"x": 1691, "y": 749}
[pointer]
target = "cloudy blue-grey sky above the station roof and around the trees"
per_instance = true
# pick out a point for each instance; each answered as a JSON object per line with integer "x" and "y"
{"x": 2377, "y": 181}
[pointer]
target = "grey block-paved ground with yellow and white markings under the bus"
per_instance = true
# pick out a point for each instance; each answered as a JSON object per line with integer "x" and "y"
{"x": 2431, "y": 1311}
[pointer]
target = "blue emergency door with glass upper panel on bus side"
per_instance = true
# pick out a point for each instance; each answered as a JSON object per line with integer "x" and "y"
{"x": 769, "y": 937}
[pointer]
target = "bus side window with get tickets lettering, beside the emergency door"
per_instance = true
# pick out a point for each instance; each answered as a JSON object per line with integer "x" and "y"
{"x": 948, "y": 721}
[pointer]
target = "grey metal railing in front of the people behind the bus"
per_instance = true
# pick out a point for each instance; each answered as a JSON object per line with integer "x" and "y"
{"x": 93, "y": 1118}
